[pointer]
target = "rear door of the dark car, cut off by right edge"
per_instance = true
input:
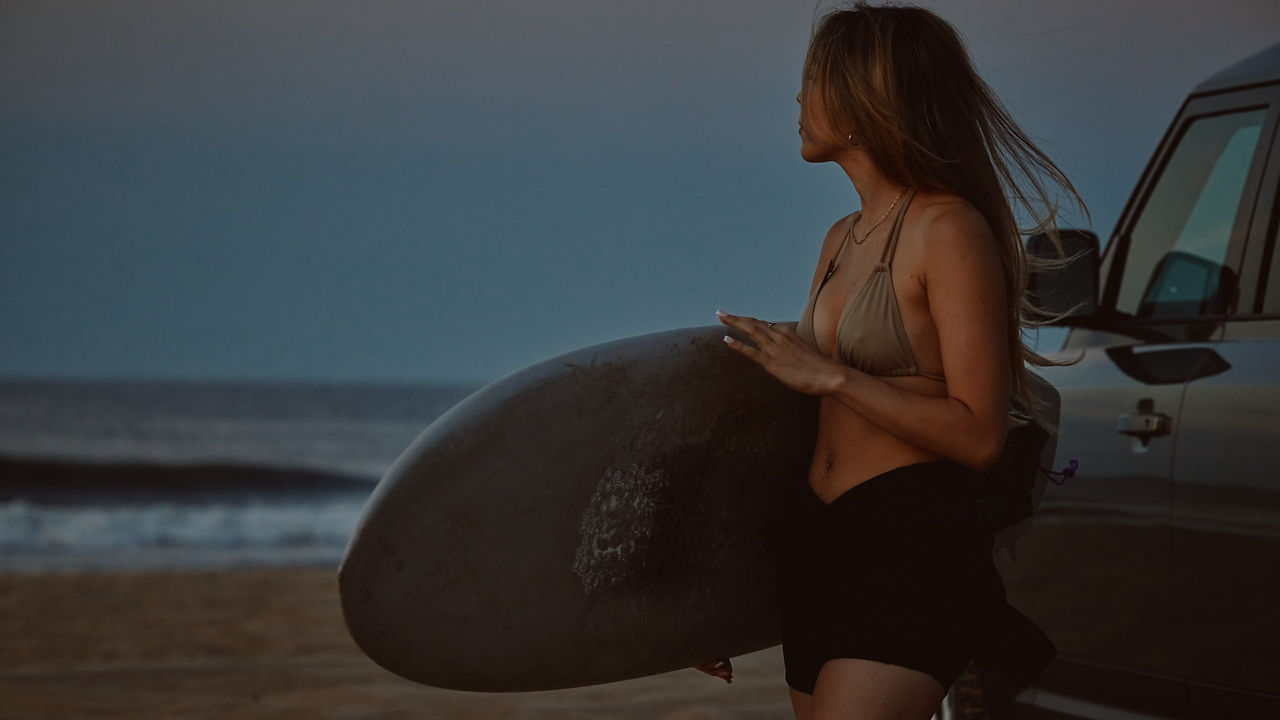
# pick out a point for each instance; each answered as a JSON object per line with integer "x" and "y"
{"x": 1226, "y": 511}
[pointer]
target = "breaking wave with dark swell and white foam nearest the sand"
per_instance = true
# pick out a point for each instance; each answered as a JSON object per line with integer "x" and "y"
{"x": 58, "y": 514}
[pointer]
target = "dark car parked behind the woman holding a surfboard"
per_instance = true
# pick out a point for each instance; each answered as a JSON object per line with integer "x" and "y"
{"x": 1156, "y": 569}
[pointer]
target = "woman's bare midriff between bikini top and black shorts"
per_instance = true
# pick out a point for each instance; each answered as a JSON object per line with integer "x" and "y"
{"x": 851, "y": 450}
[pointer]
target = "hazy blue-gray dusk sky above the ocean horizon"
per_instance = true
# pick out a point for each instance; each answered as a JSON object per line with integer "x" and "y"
{"x": 409, "y": 192}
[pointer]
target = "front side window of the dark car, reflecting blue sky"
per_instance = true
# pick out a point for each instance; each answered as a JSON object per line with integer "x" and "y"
{"x": 1174, "y": 266}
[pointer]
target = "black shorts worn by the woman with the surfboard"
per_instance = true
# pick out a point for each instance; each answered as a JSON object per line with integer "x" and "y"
{"x": 897, "y": 569}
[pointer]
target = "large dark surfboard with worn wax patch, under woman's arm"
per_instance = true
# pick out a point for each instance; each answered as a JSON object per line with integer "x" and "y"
{"x": 607, "y": 514}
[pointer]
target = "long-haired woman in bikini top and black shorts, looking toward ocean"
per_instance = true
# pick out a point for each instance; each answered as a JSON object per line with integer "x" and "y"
{"x": 912, "y": 340}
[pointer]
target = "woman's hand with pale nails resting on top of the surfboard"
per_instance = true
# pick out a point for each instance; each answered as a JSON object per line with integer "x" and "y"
{"x": 784, "y": 356}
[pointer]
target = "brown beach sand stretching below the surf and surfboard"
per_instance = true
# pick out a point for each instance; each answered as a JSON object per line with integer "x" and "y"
{"x": 272, "y": 644}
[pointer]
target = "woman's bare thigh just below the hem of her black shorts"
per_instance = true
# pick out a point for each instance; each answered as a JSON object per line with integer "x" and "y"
{"x": 854, "y": 689}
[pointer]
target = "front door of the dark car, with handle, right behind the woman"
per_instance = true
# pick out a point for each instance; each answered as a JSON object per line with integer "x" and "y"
{"x": 1096, "y": 571}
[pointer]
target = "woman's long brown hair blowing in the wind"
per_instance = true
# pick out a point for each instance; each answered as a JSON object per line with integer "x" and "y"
{"x": 900, "y": 81}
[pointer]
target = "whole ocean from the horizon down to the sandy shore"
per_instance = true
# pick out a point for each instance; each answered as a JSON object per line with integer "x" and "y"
{"x": 184, "y": 476}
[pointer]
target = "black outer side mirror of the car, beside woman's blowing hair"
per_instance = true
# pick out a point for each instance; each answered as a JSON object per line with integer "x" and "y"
{"x": 1071, "y": 291}
